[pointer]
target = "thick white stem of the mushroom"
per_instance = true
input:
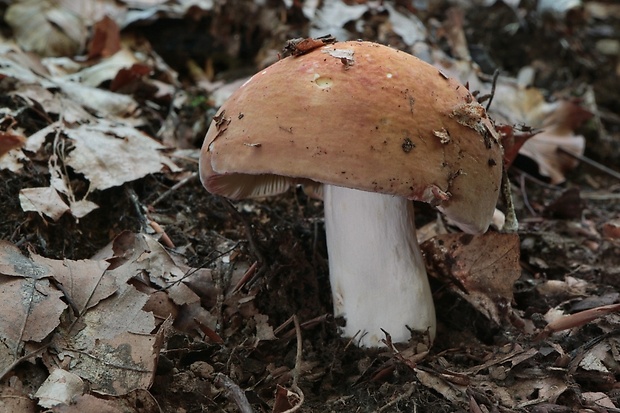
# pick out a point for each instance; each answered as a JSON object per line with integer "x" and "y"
{"x": 376, "y": 269}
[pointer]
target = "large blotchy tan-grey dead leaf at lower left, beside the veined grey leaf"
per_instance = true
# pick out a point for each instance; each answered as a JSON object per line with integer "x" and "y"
{"x": 114, "y": 348}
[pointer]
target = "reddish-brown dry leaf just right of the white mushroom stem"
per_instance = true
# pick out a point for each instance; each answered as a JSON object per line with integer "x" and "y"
{"x": 480, "y": 268}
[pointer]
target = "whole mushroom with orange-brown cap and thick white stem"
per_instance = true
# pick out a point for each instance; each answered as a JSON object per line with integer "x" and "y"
{"x": 378, "y": 128}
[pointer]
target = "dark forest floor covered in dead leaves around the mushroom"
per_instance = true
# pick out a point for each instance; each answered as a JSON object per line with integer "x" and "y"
{"x": 128, "y": 286}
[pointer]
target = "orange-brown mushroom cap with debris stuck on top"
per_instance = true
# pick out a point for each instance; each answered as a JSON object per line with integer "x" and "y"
{"x": 358, "y": 115}
